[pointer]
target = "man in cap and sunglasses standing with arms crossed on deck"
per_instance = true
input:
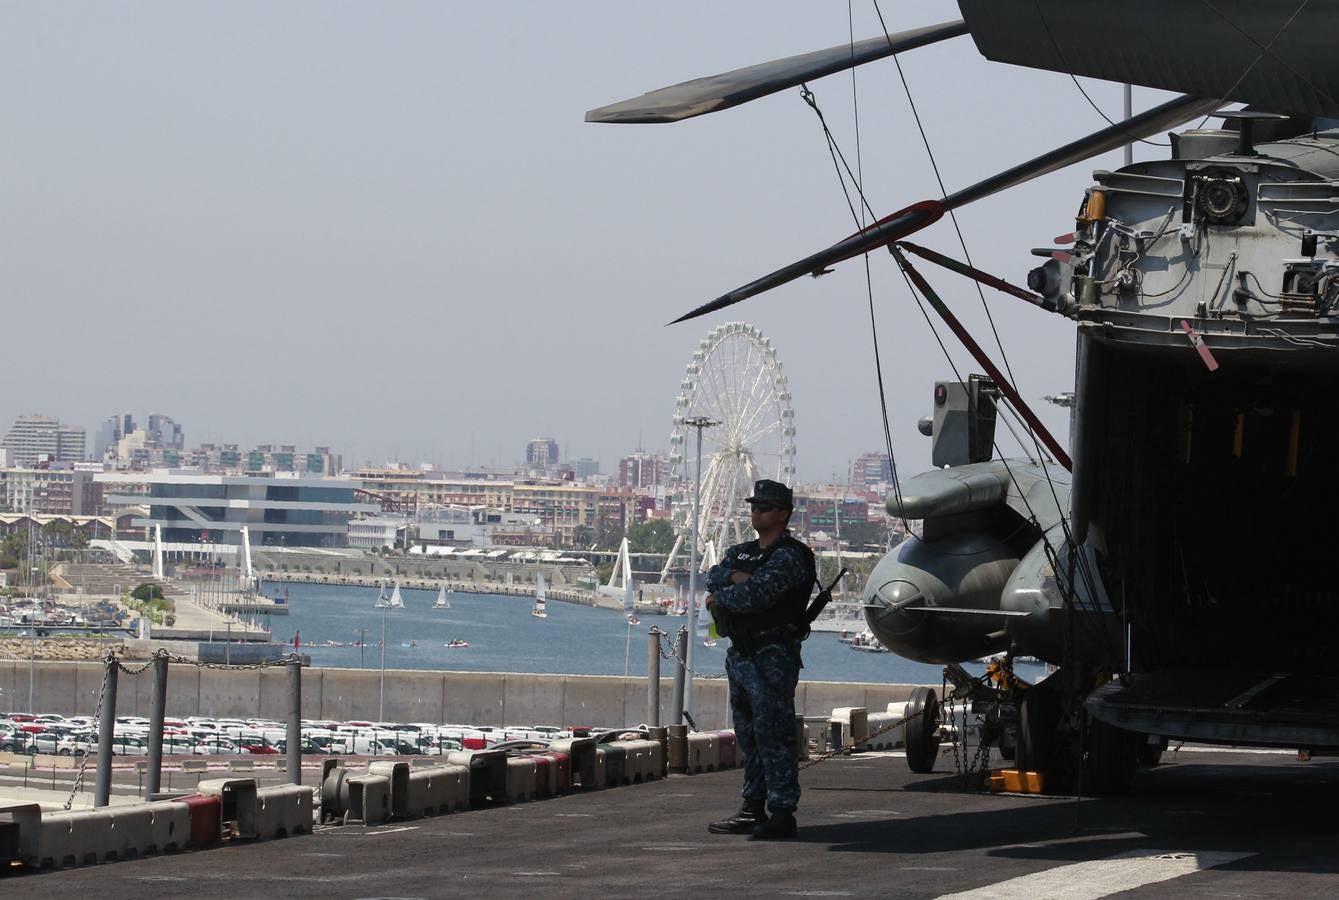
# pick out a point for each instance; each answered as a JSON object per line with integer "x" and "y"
{"x": 759, "y": 597}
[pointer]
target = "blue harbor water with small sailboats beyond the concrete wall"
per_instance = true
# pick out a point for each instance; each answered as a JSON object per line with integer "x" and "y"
{"x": 505, "y": 638}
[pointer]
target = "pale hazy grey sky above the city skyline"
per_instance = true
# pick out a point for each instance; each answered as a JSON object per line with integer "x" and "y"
{"x": 386, "y": 227}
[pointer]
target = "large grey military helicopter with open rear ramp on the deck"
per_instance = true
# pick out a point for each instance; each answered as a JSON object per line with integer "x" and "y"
{"x": 1178, "y": 570}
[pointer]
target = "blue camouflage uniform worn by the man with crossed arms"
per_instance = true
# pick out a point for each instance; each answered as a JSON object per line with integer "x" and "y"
{"x": 764, "y": 664}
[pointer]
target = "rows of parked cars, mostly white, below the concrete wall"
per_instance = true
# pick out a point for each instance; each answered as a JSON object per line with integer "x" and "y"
{"x": 203, "y": 736}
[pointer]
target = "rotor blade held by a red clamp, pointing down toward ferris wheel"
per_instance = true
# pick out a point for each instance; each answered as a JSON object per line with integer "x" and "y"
{"x": 914, "y": 219}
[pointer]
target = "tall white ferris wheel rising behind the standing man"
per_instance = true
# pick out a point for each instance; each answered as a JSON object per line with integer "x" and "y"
{"x": 734, "y": 380}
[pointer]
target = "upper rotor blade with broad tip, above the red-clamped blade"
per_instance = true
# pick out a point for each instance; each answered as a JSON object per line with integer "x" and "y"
{"x": 742, "y": 85}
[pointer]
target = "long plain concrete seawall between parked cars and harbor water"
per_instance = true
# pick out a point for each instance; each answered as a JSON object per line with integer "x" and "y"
{"x": 473, "y": 698}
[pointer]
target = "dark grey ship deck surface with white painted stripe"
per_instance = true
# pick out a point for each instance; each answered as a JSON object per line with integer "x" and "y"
{"x": 868, "y": 828}
